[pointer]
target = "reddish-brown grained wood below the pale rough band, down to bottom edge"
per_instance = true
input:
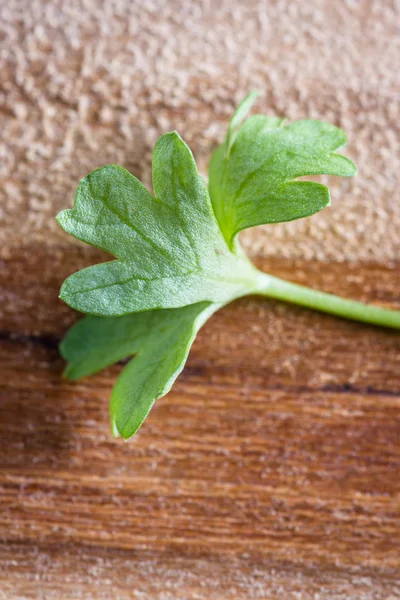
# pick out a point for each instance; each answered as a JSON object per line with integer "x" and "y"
{"x": 270, "y": 471}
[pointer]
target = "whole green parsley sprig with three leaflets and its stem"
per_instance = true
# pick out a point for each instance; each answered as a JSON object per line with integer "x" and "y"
{"x": 178, "y": 260}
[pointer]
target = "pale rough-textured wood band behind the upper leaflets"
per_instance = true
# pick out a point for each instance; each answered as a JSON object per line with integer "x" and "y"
{"x": 84, "y": 83}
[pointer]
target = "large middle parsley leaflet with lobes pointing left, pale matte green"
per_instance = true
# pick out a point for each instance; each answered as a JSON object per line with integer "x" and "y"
{"x": 170, "y": 249}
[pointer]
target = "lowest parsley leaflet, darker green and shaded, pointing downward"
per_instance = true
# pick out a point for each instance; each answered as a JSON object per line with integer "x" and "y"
{"x": 160, "y": 341}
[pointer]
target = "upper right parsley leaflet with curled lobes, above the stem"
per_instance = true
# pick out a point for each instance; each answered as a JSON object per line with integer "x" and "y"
{"x": 251, "y": 179}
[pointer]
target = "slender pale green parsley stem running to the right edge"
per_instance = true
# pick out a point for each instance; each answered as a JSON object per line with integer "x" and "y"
{"x": 275, "y": 287}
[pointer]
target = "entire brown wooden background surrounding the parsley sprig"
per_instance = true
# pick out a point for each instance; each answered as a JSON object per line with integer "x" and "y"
{"x": 272, "y": 469}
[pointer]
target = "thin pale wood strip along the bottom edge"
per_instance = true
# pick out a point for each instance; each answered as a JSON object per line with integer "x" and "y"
{"x": 81, "y": 572}
